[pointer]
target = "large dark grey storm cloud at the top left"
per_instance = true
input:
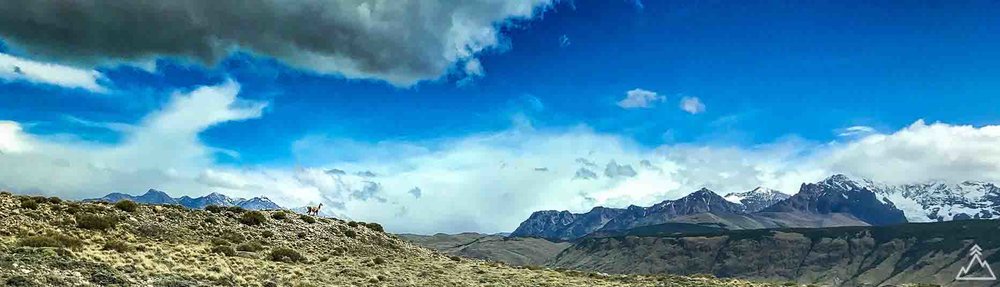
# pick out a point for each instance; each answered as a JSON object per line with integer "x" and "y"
{"x": 398, "y": 41}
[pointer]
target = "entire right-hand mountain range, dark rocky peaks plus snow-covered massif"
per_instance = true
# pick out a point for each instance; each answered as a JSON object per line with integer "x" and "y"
{"x": 835, "y": 201}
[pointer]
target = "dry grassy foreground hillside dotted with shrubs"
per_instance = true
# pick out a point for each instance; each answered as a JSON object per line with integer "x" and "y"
{"x": 49, "y": 242}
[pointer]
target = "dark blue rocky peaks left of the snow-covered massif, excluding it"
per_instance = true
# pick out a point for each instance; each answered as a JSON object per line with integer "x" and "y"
{"x": 835, "y": 201}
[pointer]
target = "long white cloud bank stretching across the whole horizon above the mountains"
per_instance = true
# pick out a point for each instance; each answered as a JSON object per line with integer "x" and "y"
{"x": 484, "y": 182}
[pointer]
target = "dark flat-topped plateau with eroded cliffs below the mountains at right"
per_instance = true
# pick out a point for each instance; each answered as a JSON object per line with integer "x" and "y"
{"x": 842, "y": 256}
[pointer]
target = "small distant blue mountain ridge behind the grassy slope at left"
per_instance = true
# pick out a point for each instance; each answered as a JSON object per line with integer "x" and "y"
{"x": 154, "y": 196}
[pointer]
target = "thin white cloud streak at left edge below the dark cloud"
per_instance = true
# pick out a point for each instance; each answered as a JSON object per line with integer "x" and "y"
{"x": 17, "y": 69}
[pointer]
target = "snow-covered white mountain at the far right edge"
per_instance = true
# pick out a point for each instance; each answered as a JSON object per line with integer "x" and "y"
{"x": 942, "y": 201}
